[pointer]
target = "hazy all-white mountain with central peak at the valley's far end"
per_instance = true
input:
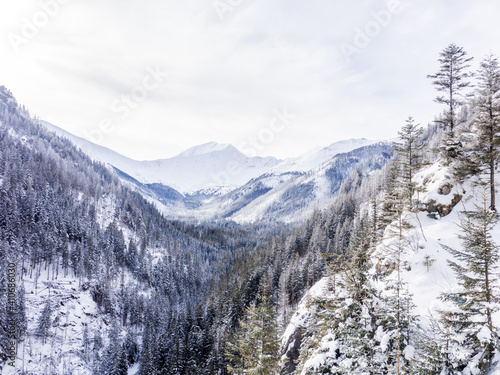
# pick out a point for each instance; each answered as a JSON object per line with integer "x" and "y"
{"x": 208, "y": 167}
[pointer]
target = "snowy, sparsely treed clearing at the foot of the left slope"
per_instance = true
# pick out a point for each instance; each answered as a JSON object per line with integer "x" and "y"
{"x": 73, "y": 309}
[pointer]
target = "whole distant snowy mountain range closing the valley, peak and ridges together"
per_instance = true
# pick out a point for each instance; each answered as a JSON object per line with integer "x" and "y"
{"x": 217, "y": 181}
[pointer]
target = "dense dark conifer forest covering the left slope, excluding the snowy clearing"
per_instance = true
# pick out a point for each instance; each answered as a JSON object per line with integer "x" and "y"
{"x": 51, "y": 226}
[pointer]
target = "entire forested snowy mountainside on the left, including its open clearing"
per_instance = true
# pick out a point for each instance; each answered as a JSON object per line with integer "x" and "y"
{"x": 100, "y": 264}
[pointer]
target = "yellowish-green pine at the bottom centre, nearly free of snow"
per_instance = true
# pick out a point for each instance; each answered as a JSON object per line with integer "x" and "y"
{"x": 255, "y": 348}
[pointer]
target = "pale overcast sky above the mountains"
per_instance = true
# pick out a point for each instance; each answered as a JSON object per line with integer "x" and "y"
{"x": 272, "y": 77}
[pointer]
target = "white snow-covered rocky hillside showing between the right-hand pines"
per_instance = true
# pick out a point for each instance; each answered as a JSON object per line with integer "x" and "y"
{"x": 425, "y": 267}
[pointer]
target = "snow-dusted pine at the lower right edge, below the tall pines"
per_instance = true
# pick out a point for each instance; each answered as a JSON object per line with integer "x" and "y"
{"x": 477, "y": 300}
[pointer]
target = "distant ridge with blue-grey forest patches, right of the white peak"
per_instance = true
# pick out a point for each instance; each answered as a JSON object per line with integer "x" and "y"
{"x": 291, "y": 191}
